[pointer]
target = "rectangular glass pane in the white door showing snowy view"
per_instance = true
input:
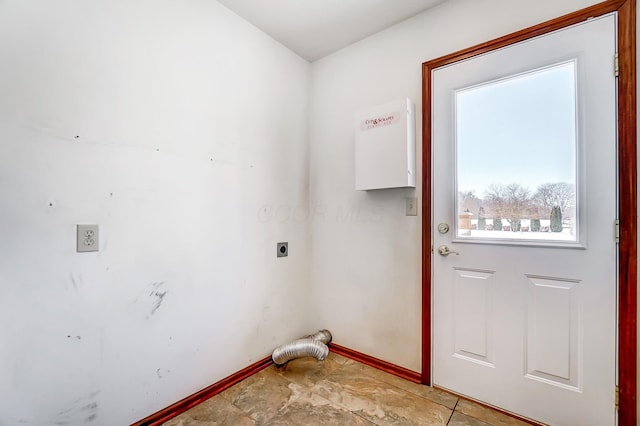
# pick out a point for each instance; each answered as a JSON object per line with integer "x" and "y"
{"x": 516, "y": 147}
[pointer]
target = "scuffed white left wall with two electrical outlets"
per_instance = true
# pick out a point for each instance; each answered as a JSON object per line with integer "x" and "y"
{"x": 180, "y": 129}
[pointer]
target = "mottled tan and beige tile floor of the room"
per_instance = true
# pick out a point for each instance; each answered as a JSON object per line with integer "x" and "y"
{"x": 336, "y": 391}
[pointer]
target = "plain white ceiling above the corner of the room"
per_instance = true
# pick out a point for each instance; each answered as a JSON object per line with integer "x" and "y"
{"x": 316, "y": 28}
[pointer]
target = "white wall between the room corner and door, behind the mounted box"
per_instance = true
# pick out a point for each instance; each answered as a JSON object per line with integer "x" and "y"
{"x": 365, "y": 267}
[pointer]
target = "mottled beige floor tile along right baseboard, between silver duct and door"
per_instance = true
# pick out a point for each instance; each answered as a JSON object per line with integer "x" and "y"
{"x": 378, "y": 402}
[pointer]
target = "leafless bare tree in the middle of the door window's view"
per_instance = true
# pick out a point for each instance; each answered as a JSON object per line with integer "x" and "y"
{"x": 511, "y": 202}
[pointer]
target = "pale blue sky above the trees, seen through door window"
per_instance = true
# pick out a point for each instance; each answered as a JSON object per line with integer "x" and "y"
{"x": 521, "y": 129}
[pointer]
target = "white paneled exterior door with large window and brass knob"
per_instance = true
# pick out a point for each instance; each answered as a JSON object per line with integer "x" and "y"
{"x": 524, "y": 302}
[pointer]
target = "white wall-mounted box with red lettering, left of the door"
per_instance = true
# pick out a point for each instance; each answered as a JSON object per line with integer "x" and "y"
{"x": 385, "y": 146}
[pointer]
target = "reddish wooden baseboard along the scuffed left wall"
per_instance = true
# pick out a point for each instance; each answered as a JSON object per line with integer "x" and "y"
{"x": 201, "y": 396}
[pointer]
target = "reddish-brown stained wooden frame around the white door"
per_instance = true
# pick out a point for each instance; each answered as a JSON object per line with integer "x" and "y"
{"x": 627, "y": 187}
